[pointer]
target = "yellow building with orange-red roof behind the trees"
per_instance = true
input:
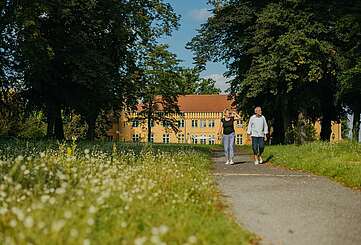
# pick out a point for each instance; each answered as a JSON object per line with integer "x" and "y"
{"x": 198, "y": 123}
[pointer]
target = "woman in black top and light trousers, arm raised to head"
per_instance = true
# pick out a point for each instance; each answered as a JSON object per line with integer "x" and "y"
{"x": 227, "y": 126}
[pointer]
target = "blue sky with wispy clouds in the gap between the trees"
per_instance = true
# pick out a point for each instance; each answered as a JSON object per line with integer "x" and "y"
{"x": 193, "y": 14}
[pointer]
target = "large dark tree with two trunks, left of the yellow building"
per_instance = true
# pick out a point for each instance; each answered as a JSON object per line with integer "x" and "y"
{"x": 84, "y": 54}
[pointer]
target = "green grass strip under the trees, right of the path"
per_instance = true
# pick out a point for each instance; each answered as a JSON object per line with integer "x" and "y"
{"x": 341, "y": 162}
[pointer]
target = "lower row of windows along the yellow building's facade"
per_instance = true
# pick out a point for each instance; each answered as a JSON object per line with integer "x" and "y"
{"x": 202, "y": 139}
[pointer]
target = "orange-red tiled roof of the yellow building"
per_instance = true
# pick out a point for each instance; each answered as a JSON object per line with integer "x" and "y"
{"x": 203, "y": 103}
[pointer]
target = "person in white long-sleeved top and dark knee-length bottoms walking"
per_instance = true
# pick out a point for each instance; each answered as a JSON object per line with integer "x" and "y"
{"x": 257, "y": 130}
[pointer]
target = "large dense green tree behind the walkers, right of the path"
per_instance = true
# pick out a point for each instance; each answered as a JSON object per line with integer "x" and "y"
{"x": 281, "y": 54}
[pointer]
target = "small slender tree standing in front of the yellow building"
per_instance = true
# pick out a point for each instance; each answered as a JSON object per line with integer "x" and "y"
{"x": 160, "y": 88}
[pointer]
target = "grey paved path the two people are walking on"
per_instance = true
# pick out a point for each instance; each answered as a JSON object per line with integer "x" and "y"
{"x": 286, "y": 207}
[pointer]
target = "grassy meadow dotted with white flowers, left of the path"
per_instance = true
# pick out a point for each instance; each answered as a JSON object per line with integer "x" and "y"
{"x": 106, "y": 193}
